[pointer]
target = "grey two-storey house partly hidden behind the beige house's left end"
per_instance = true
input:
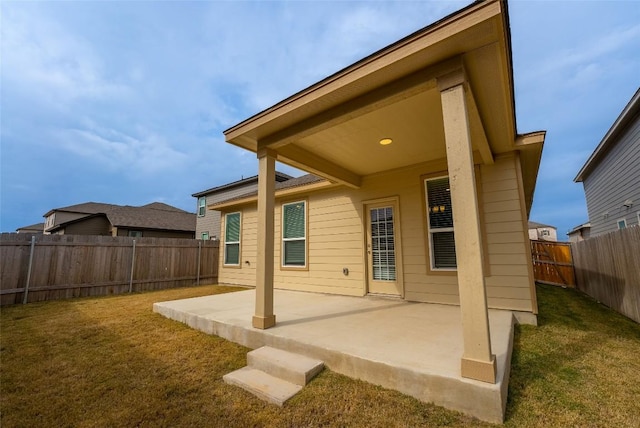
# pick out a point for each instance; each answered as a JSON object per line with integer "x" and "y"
{"x": 208, "y": 221}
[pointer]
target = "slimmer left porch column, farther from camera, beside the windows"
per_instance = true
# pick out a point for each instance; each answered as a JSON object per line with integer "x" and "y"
{"x": 264, "y": 317}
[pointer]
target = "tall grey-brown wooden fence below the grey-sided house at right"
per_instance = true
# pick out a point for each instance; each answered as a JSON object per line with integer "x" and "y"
{"x": 608, "y": 269}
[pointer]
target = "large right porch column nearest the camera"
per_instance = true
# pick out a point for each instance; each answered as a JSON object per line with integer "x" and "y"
{"x": 477, "y": 360}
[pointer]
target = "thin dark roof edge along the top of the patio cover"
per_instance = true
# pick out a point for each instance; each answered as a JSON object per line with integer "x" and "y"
{"x": 370, "y": 58}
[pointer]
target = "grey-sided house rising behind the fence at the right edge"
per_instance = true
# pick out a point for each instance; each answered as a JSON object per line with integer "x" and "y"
{"x": 611, "y": 175}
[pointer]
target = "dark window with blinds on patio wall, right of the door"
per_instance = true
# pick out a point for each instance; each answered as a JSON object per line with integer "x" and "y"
{"x": 442, "y": 246}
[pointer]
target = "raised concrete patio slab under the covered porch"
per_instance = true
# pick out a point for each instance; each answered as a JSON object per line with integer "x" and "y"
{"x": 414, "y": 348}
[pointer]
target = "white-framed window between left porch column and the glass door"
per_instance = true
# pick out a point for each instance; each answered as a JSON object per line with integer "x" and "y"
{"x": 294, "y": 234}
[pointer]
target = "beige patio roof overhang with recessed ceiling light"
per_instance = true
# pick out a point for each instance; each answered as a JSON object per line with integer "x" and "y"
{"x": 332, "y": 128}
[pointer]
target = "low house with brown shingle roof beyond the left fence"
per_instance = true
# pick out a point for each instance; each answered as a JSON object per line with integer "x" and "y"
{"x": 156, "y": 220}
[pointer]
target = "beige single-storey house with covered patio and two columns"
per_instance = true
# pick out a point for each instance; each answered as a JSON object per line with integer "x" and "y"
{"x": 426, "y": 183}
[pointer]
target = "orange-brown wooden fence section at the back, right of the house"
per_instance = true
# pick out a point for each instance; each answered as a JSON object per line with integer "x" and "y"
{"x": 552, "y": 263}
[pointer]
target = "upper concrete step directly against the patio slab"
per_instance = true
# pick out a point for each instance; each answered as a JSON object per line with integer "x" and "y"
{"x": 285, "y": 365}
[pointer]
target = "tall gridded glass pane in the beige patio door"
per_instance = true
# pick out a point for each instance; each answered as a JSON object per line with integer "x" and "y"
{"x": 383, "y": 256}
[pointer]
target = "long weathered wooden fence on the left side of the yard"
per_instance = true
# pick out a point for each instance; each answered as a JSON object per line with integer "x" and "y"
{"x": 49, "y": 267}
